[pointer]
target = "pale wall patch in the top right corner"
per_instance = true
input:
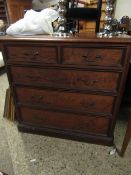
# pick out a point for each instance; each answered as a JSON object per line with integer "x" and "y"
{"x": 123, "y": 8}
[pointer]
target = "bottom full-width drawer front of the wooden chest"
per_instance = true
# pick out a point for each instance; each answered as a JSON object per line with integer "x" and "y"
{"x": 64, "y": 121}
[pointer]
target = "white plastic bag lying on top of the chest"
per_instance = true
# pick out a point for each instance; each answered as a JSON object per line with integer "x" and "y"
{"x": 34, "y": 23}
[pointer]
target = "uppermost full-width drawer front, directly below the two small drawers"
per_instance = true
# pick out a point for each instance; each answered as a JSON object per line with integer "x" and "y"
{"x": 93, "y": 80}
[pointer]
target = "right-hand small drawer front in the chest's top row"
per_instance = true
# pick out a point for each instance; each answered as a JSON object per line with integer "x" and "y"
{"x": 93, "y": 56}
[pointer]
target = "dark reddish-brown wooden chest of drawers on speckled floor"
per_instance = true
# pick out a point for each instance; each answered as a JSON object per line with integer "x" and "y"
{"x": 67, "y": 87}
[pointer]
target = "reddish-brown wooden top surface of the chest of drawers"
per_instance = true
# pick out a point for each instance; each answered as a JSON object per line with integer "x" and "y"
{"x": 90, "y": 37}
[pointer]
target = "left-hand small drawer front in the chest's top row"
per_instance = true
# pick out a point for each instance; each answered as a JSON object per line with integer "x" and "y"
{"x": 32, "y": 54}
